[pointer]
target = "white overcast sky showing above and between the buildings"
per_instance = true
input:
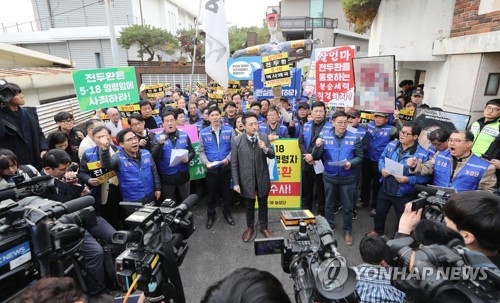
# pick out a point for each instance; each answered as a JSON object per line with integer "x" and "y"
{"x": 238, "y": 12}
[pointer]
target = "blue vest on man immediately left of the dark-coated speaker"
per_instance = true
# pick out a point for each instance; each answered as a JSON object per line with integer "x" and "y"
{"x": 214, "y": 152}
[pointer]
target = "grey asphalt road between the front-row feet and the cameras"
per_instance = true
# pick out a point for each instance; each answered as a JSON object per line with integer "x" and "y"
{"x": 215, "y": 253}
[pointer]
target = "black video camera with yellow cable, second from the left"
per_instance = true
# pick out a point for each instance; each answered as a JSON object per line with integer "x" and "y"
{"x": 156, "y": 246}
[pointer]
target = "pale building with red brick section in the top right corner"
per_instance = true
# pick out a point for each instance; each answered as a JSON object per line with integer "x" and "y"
{"x": 452, "y": 47}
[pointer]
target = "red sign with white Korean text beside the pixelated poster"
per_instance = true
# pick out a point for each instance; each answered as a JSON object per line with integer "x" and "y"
{"x": 334, "y": 76}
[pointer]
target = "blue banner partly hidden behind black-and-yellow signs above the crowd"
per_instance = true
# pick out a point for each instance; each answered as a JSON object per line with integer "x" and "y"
{"x": 292, "y": 91}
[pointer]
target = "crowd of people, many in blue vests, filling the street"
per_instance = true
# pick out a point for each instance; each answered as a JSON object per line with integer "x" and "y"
{"x": 121, "y": 159}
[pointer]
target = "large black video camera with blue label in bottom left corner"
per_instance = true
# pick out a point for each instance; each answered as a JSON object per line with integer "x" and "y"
{"x": 35, "y": 235}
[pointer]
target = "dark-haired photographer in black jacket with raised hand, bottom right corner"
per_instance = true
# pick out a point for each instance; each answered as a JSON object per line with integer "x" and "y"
{"x": 458, "y": 261}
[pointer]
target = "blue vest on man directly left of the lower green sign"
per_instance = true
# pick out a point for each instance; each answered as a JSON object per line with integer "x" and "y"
{"x": 168, "y": 145}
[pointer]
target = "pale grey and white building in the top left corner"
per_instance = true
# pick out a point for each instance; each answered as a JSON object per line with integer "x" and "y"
{"x": 77, "y": 29}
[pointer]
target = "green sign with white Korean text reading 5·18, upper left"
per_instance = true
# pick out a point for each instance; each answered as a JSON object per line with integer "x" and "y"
{"x": 105, "y": 87}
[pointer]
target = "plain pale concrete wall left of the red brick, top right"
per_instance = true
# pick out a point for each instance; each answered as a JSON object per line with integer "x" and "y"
{"x": 408, "y": 28}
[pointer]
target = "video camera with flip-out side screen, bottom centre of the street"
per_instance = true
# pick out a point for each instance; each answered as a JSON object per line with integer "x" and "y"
{"x": 319, "y": 272}
